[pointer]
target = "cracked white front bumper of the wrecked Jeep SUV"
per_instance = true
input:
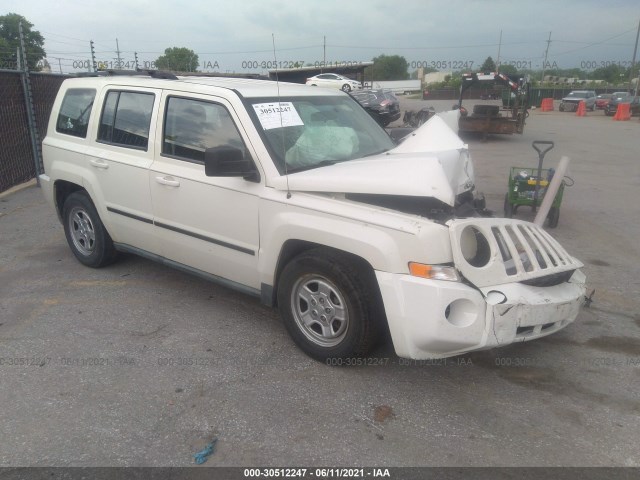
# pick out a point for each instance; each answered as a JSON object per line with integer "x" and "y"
{"x": 438, "y": 319}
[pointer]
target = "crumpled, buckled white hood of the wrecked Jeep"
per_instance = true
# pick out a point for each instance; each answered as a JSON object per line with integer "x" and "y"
{"x": 431, "y": 162}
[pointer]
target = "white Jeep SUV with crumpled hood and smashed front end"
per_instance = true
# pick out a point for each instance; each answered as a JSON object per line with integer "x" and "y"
{"x": 295, "y": 195}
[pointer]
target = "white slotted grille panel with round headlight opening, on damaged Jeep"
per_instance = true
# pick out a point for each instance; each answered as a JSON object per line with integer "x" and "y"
{"x": 493, "y": 251}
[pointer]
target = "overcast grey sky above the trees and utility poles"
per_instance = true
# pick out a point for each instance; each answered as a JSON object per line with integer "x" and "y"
{"x": 237, "y": 35}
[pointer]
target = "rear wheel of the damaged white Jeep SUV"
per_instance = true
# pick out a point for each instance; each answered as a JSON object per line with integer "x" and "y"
{"x": 88, "y": 239}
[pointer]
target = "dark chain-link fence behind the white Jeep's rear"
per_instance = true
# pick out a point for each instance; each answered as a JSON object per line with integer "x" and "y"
{"x": 17, "y": 159}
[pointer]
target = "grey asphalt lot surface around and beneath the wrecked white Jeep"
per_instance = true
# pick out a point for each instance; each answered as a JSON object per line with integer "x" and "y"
{"x": 140, "y": 365}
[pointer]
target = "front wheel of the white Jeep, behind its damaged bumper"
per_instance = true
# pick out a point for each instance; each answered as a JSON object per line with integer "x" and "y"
{"x": 328, "y": 306}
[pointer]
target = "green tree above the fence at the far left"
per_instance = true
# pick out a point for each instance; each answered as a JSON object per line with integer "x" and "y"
{"x": 10, "y": 41}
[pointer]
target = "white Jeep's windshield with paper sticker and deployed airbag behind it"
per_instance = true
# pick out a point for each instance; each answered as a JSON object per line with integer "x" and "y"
{"x": 314, "y": 131}
